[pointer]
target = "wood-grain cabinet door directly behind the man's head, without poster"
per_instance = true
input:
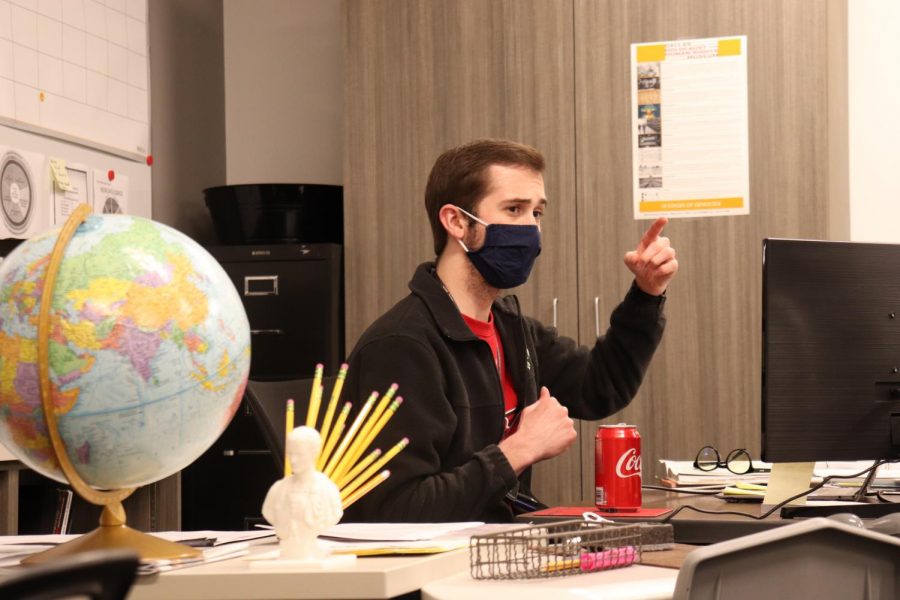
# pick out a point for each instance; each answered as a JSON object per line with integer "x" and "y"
{"x": 424, "y": 76}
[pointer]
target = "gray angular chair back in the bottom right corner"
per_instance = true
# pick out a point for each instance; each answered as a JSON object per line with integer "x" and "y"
{"x": 815, "y": 558}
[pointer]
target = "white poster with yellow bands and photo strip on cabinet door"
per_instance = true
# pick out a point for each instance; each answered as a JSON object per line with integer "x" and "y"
{"x": 690, "y": 149}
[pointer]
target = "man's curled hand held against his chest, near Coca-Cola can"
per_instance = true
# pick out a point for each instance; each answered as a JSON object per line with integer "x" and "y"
{"x": 545, "y": 430}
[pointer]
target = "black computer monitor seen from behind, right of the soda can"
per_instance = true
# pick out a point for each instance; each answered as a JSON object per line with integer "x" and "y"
{"x": 831, "y": 351}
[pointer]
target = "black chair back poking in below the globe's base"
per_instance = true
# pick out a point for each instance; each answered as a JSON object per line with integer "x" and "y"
{"x": 98, "y": 575}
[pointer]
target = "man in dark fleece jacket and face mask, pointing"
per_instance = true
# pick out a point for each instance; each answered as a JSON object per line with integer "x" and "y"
{"x": 488, "y": 392}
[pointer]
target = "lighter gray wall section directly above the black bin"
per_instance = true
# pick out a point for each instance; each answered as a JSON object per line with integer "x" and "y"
{"x": 283, "y": 91}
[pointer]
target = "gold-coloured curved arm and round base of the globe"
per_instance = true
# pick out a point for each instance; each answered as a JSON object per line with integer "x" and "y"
{"x": 112, "y": 533}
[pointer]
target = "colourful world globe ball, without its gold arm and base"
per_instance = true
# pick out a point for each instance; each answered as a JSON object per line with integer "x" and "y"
{"x": 149, "y": 352}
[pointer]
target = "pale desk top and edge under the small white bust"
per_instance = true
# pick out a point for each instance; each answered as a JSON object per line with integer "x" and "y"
{"x": 370, "y": 577}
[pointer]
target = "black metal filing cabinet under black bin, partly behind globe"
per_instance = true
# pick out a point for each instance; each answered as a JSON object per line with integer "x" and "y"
{"x": 293, "y": 295}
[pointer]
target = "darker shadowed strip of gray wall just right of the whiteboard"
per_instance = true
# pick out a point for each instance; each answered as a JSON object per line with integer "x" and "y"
{"x": 187, "y": 111}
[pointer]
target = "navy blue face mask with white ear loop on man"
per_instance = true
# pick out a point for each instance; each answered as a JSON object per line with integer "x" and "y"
{"x": 507, "y": 255}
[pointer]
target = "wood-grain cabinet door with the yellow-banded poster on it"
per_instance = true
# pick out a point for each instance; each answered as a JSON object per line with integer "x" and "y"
{"x": 704, "y": 384}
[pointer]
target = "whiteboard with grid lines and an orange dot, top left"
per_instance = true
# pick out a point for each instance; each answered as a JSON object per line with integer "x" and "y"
{"x": 77, "y": 70}
